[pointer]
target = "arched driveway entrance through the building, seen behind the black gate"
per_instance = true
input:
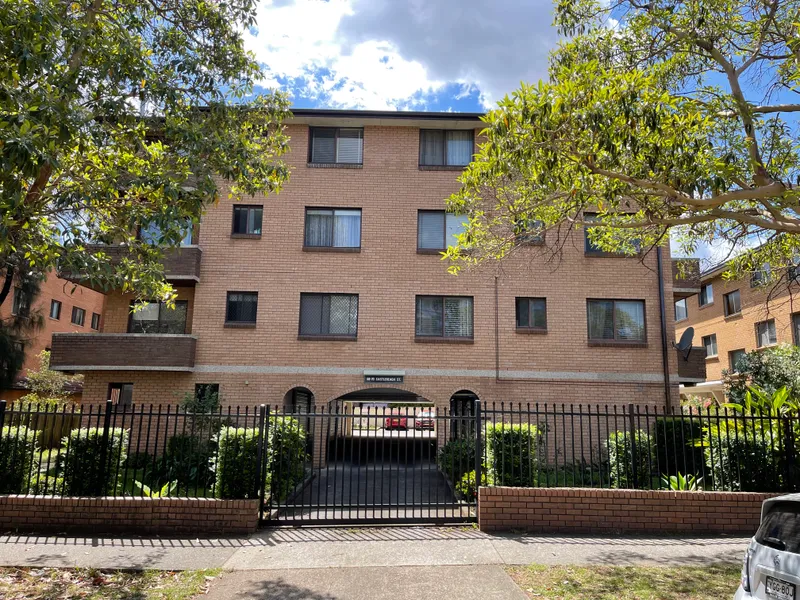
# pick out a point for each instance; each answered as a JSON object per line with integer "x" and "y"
{"x": 381, "y": 461}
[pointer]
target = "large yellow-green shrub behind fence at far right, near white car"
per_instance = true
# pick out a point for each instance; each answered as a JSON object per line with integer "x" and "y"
{"x": 742, "y": 461}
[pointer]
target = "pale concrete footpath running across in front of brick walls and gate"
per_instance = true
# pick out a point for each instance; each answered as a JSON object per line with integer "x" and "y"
{"x": 324, "y": 548}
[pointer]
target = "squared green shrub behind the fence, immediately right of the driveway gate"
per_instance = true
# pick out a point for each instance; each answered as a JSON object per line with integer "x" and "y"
{"x": 513, "y": 452}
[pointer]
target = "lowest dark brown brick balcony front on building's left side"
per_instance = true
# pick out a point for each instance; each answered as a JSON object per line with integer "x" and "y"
{"x": 122, "y": 351}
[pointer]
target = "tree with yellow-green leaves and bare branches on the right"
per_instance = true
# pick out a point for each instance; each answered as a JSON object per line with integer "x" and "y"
{"x": 660, "y": 117}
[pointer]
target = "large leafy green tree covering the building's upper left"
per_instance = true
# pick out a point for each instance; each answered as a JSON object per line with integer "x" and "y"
{"x": 115, "y": 119}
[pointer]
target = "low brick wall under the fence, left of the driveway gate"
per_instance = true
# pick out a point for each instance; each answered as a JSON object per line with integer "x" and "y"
{"x": 153, "y": 516}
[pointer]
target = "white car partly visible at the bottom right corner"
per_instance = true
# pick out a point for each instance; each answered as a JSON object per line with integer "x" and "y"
{"x": 771, "y": 569}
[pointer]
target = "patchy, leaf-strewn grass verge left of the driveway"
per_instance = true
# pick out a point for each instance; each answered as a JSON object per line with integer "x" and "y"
{"x": 91, "y": 584}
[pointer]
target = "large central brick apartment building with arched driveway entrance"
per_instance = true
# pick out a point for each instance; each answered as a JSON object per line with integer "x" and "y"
{"x": 334, "y": 289}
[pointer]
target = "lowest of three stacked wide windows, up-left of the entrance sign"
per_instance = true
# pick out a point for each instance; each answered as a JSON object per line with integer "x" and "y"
{"x": 329, "y": 315}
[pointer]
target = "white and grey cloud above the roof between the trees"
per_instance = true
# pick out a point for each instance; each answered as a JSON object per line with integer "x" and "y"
{"x": 384, "y": 54}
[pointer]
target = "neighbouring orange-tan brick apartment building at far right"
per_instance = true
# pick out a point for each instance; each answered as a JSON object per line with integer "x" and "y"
{"x": 731, "y": 318}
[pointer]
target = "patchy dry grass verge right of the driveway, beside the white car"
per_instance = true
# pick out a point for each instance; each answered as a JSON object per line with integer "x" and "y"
{"x": 627, "y": 583}
